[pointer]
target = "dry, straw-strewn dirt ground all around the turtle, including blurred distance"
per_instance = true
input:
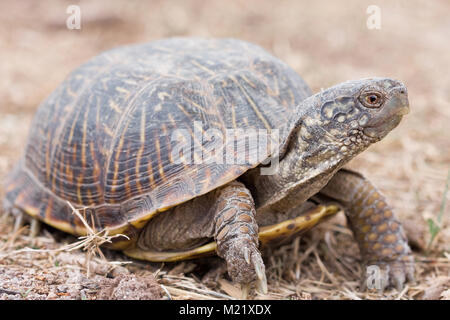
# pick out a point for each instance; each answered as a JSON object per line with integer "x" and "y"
{"x": 327, "y": 42}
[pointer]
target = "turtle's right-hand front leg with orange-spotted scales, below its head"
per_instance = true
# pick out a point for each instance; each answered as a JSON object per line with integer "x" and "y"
{"x": 379, "y": 234}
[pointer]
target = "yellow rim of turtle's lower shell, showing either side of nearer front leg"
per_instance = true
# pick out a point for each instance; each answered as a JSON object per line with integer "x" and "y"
{"x": 266, "y": 235}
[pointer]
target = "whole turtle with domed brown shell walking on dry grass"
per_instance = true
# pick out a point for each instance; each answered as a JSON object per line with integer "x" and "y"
{"x": 188, "y": 147}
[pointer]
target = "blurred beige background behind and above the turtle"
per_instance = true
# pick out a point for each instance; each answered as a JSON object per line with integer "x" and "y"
{"x": 326, "y": 42}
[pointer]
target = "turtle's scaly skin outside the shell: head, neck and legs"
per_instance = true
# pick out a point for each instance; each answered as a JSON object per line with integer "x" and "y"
{"x": 327, "y": 130}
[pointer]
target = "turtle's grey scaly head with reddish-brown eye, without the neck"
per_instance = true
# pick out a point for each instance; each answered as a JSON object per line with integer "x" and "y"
{"x": 358, "y": 113}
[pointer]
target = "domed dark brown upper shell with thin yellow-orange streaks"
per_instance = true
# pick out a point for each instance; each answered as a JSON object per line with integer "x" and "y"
{"x": 103, "y": 141}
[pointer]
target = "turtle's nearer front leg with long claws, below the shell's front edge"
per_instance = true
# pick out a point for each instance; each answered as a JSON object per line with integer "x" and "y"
{"x": 236, "y": 234}
